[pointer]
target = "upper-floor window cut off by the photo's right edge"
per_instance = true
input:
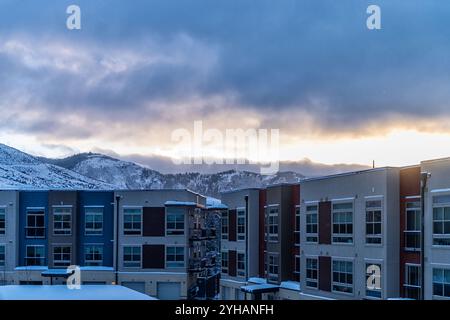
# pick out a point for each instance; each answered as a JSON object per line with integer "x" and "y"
{"x": 441, "y": 221}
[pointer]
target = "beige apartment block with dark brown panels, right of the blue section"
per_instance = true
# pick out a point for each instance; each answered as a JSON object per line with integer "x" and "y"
{"x": 163, "y": 243}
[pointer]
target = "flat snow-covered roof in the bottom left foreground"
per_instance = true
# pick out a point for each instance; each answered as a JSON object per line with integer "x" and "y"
{"x": 62, "y": 292}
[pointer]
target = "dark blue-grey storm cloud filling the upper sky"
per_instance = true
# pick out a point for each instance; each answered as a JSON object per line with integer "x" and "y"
{"x": 273, "y": 56}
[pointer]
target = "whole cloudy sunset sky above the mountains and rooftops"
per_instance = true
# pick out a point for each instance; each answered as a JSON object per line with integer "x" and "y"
{"x": 138, "y": 70}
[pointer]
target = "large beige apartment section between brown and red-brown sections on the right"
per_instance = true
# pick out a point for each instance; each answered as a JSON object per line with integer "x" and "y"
{"x": 350, "y": 235}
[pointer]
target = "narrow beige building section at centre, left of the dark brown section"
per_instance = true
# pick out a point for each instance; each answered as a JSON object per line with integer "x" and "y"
{"x": 242, "y": 240}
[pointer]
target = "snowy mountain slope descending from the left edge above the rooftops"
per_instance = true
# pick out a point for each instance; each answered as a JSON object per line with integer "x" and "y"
{"x": 19, "y": 170}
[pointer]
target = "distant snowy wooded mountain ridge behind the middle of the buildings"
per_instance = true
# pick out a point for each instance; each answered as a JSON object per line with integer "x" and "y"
{"x": 129, "y": 175}
